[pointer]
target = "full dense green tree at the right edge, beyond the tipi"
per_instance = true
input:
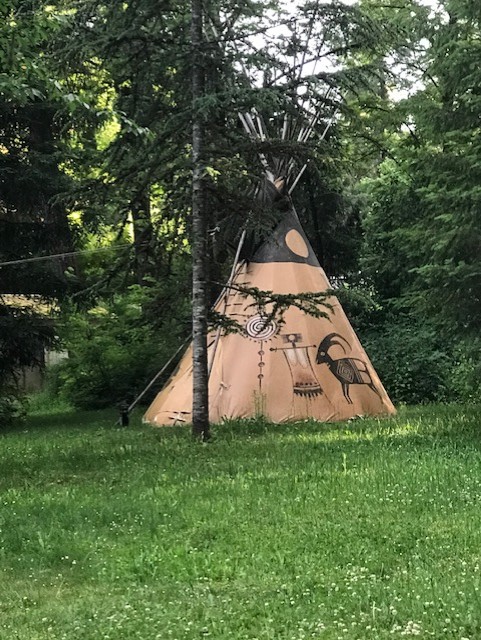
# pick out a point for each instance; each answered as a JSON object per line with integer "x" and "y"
{"x": 423, "y": 224}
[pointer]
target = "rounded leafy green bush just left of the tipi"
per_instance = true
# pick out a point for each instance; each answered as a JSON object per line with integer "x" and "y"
{"x": 113, "y": 352}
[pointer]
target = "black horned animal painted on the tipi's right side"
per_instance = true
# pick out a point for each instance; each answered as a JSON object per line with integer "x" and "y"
{"x": 347, "y": 370}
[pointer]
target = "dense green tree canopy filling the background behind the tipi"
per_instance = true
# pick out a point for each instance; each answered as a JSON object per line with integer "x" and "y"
{"x": 95, "y": 156}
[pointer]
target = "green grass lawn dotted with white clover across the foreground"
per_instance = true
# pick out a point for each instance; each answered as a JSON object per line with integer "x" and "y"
{"x": 367, "y": 529}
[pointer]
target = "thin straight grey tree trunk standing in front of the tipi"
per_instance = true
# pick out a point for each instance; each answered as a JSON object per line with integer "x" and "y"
{"x": 200, "y": 400}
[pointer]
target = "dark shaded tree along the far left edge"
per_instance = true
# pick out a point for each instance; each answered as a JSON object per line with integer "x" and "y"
{"x": 33, "y": 217}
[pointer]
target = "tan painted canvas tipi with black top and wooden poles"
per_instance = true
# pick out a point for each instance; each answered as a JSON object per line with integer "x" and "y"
{"x": 286, "y": 369}
